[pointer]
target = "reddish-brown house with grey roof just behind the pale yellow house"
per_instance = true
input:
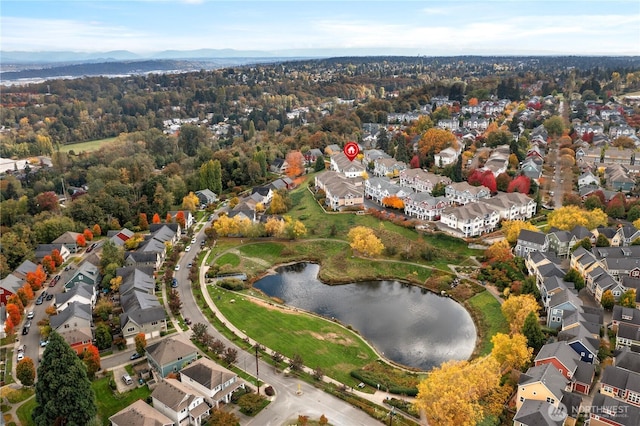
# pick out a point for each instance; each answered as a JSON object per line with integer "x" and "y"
{"x": 579, "y": 373}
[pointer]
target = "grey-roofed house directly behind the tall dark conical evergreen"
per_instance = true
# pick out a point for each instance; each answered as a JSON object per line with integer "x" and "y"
{"x": 74, "y": 325}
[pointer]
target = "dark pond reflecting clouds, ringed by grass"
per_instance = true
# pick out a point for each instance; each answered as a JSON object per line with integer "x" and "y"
{"x": 406, "y": 324}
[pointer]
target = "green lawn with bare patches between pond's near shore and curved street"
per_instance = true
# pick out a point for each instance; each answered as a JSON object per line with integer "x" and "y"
{"x": 320, "y": 343}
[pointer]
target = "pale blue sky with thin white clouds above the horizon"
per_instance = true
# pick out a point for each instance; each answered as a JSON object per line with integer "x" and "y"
{"x": 443, "y": 27}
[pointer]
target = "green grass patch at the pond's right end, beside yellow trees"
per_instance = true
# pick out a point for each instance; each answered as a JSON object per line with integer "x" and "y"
{"x": 486, "y": 312}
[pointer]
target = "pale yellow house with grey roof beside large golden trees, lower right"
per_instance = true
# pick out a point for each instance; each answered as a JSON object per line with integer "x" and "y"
{"x": 542, "y": 383}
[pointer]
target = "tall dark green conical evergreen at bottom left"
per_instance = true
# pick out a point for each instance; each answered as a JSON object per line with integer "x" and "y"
{"x": 63, "y": 391}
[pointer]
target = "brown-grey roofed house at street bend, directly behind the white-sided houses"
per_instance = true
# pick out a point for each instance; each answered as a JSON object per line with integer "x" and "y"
{"x": 170, "y": 355}
